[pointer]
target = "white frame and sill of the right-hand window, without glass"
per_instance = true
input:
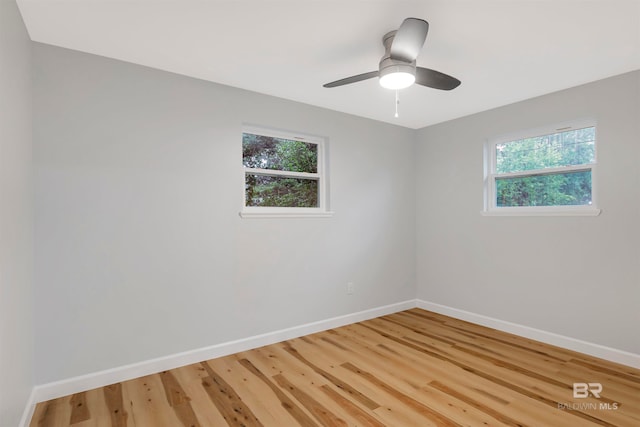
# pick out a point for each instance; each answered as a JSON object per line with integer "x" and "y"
{"x": 490, "y": 175}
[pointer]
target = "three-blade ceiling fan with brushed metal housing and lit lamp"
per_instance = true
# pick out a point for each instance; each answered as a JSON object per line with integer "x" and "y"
{"x": 397, "y": 68}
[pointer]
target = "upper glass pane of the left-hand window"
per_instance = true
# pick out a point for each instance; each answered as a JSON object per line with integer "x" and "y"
{"x": 266, "y": 152}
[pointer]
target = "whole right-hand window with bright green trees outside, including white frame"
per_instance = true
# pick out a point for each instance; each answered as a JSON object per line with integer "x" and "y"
{"x": 549, "y": 172}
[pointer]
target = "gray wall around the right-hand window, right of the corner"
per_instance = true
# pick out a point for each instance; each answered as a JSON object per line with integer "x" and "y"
{"x": 575, "y": 276}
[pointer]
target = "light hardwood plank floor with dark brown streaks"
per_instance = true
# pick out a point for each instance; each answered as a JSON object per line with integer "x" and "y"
{"x": 413, "y": 368}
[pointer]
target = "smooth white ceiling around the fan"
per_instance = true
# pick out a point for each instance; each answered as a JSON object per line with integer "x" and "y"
{"x": 502, "y": 50}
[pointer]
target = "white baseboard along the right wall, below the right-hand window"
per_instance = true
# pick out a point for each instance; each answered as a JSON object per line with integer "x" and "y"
{"x": 597, "y": 350}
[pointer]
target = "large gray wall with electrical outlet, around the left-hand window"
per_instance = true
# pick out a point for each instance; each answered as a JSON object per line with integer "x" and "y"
{"x": 140, "y": 251}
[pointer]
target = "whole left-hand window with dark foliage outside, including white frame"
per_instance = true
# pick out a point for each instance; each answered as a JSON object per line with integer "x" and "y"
{"x": 283, "y": 174}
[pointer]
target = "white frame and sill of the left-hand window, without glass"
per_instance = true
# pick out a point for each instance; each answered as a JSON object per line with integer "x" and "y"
{"x": 321, "y": 176}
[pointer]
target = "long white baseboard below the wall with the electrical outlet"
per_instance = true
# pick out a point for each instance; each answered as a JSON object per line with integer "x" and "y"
{"x": 81, "y": 383}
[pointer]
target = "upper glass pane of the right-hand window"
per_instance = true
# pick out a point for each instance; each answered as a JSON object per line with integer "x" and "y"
{"x": 570, "y": 148}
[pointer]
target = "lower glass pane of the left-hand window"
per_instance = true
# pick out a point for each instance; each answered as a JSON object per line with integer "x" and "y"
{"x": 278, "y": 191}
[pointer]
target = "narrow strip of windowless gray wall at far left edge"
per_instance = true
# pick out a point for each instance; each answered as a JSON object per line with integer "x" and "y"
{"x": 16, "y": 217}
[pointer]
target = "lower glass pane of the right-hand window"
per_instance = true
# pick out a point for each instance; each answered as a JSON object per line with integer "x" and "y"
{"x": 562, "y": 189}
